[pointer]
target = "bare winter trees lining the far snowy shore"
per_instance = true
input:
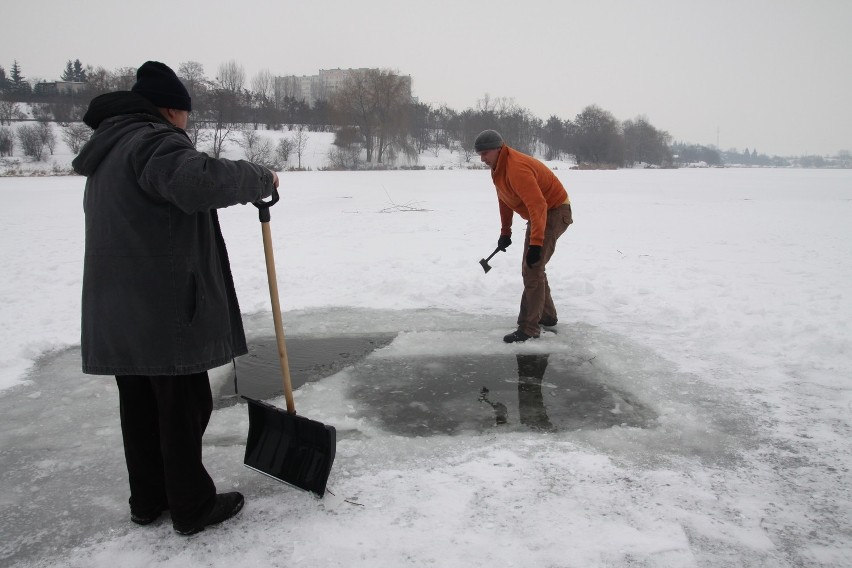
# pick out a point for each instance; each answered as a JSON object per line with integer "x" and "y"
{"x": 375, "y": 119}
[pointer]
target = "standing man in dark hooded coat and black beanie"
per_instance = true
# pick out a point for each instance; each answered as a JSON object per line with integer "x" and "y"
{"x": 159, "y": 305}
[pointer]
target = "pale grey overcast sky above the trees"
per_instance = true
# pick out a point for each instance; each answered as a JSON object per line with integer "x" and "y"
{"x": 771, "y": 75}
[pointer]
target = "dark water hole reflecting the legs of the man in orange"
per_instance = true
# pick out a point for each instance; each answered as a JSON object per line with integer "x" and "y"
{"x": 464, "y": 394}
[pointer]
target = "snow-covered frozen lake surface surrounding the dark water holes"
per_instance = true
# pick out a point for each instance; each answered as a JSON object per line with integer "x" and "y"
{"x": 718, "y": 299}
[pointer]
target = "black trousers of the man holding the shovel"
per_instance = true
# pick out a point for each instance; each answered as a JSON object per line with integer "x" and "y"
{"x": 163, "y": 419}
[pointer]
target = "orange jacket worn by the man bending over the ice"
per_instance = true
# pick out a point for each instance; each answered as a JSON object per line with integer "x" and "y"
{"x": 527, "y": 187}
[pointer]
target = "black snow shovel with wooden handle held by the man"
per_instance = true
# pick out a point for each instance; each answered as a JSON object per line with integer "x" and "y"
{"x": 280, "y": 444}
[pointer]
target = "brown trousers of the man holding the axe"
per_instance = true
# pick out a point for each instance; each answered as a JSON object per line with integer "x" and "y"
{"x": 536, "y": 303}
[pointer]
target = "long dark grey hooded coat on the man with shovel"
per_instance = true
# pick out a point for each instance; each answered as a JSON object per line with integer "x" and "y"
{"x": 158, "y": 296}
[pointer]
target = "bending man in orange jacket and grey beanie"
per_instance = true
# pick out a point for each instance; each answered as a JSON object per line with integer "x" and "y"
{"x": 529, "y": 188}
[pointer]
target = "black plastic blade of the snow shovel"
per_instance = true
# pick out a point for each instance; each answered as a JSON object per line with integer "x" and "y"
{"x": 289, "y": 448}
